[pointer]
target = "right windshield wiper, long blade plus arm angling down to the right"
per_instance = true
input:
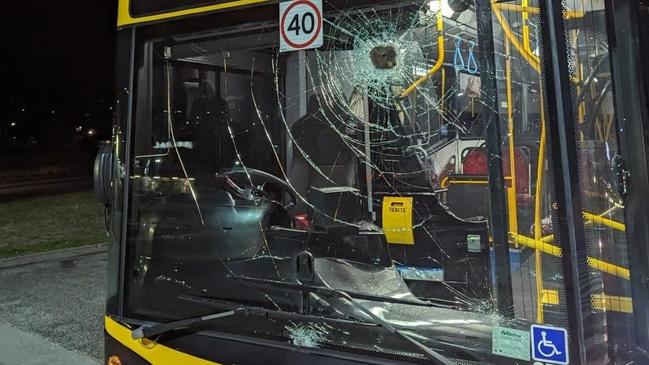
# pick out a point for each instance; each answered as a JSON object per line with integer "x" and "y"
{"x": 349, "y": 297}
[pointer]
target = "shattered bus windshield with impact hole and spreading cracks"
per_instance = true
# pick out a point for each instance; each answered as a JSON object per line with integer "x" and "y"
{"x": 262, "y": 177}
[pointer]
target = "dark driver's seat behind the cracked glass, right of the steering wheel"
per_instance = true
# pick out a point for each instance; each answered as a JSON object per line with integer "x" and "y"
{"x": 318, "y": 145}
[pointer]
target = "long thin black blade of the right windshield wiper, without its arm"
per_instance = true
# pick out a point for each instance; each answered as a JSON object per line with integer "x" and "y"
{"x": 330, "y": 291}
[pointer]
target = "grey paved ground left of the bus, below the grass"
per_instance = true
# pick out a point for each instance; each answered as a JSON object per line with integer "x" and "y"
{"x": 61, "y": 302}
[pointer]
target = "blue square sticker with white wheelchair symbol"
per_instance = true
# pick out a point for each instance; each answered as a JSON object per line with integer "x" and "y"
{"x": 549, "y": 344}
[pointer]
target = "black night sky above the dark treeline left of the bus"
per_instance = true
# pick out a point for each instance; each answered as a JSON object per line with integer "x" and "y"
{"x": 58, "y": 65}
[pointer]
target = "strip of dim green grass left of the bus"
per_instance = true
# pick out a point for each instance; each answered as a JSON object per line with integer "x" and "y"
{"x": 48, "y": 223}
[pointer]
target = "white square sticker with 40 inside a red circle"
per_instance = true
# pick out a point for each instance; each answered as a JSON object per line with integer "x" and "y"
{"x": 300, "y": 25}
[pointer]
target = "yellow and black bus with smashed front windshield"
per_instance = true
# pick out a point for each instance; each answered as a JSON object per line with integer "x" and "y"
{"x": 378, "y": 182}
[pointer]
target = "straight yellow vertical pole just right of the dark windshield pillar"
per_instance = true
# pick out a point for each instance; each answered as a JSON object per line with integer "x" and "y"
{"x": 511, "y": 192}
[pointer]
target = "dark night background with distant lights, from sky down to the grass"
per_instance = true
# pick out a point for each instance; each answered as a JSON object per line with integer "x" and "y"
{"x": 56, "y": 85}
